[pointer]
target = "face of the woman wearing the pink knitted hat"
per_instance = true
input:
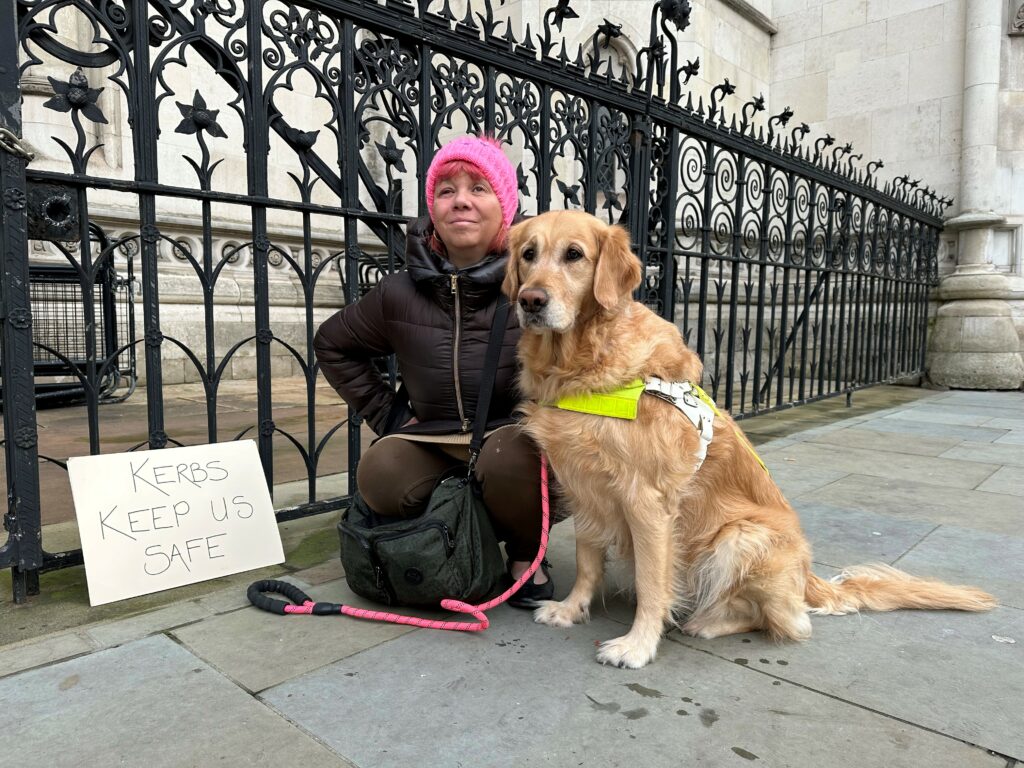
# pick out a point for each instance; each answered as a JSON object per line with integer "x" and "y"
{"x": 467, "y": 218}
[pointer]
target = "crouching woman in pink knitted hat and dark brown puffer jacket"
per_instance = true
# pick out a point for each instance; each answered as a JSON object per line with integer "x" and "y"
{"x": 436, "y": 316}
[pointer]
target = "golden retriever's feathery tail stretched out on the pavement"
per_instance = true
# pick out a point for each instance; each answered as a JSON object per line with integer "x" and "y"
{"x": 881, "y": 587}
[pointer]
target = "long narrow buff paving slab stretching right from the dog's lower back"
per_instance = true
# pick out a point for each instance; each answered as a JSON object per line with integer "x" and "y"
{"x": 881, "y": 463}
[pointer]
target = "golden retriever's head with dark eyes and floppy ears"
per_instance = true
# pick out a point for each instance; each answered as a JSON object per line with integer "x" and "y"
{"x": 568, "y": 265}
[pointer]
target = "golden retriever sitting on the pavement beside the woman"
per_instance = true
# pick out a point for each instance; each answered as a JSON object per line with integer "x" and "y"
{"x": 718, "y": 546}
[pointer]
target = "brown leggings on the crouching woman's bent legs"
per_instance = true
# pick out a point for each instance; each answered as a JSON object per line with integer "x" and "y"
{"x": 396, "y": 478}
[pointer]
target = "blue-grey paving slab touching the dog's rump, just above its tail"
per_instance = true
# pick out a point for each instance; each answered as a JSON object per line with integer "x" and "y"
{"x": 846, "y": 537}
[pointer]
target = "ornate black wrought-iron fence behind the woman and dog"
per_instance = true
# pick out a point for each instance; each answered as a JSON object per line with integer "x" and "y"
{"x": 783, "y": 263}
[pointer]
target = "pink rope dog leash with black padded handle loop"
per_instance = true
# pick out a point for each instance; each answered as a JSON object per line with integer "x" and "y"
{"x": 258, "y": 592}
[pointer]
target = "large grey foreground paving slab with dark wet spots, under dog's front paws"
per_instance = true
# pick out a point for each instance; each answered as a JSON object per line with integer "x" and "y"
{"x": 523, "y": 695}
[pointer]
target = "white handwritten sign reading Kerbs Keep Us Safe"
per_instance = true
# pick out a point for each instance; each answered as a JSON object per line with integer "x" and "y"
{"x": 151, "y": 521}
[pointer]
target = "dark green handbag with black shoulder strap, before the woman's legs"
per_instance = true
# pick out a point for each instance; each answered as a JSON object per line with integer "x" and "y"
{"x": 451, "y": 550}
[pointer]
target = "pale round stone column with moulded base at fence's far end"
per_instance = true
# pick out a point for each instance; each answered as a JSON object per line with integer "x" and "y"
{"x": 974, "y": 345}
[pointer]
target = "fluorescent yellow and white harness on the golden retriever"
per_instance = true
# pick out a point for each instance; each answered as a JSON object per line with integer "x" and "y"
{"x": 692, "y": 401}
